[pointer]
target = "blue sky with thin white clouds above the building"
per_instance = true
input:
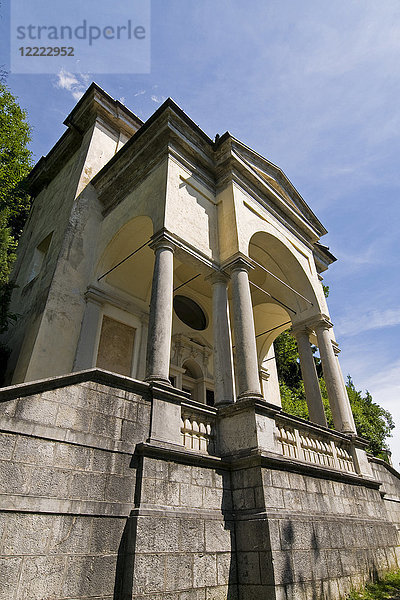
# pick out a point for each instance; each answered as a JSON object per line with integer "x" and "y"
{"x": 314, "y": 87}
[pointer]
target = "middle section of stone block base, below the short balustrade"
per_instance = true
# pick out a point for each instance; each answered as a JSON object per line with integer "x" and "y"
{"x": 181, "y": 541}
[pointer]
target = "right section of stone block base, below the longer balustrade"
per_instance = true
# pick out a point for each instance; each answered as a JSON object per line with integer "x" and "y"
{"x": 306, "y": 536}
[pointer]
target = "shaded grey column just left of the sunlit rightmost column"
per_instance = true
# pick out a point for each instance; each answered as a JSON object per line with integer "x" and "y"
{"x": 310, "y": 379}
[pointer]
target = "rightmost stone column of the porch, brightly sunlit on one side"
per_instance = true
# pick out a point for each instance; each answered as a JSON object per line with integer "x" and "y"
{"x": 338, "y": 399}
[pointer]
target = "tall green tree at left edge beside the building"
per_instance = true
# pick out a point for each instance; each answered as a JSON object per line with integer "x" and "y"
{"x": 15, "y": 163}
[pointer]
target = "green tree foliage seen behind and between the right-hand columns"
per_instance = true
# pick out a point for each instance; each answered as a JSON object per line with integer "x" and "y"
{"x": 372, "y": 422}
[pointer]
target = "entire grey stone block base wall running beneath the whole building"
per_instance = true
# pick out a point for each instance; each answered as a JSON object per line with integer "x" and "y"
{"x": 93, "y": 507}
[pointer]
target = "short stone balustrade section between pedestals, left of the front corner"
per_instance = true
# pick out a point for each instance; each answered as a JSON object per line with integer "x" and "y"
{"x": 198, "y": 430}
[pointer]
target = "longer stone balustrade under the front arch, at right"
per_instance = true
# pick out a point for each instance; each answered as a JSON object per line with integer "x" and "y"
{"x": 320, "y": 449}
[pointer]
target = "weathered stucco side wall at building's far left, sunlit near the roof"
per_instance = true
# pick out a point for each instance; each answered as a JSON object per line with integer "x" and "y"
{"x": 73, "y": 226}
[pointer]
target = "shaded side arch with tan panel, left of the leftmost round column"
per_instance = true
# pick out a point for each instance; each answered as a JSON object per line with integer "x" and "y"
{"x": 112, "y": 335}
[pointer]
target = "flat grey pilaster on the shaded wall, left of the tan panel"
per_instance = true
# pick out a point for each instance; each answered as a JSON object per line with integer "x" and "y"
{"x": 85, "y": 358}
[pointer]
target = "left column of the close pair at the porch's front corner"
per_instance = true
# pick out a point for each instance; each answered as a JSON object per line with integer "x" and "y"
{"x": 224, "y": 387}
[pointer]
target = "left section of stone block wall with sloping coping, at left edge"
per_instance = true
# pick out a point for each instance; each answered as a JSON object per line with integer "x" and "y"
{"x": 67, "y": 486}
